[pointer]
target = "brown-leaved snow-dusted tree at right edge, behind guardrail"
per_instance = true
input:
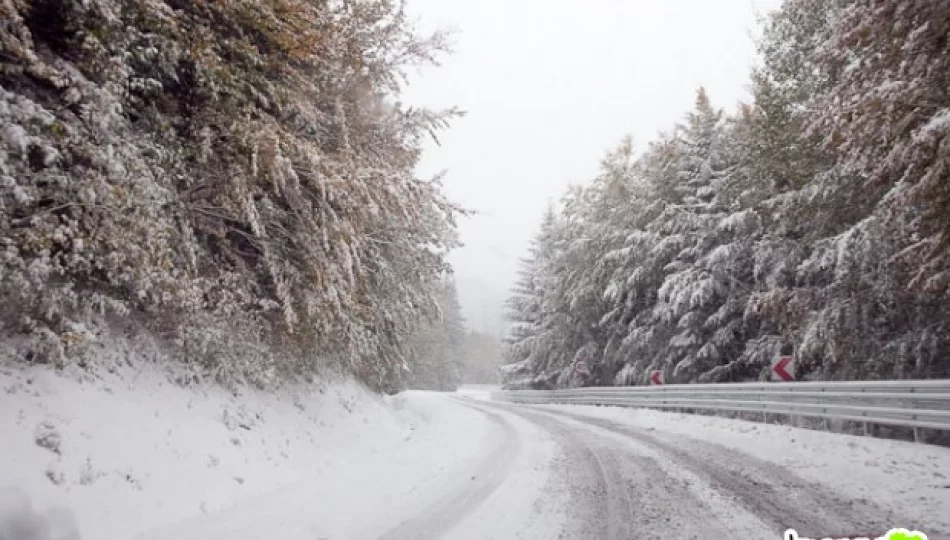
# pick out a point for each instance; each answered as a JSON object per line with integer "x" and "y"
{"x": 884, "y": 265}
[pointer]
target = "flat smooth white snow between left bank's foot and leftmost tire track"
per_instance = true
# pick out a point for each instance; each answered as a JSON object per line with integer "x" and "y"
{"x": 365, "y": 489}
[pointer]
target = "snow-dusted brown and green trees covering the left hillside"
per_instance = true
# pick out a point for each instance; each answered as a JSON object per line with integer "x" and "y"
{"x": 235, "y": 176}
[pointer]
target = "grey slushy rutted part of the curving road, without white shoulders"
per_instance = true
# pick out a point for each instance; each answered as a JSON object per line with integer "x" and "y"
{"x": 622, "y": 482}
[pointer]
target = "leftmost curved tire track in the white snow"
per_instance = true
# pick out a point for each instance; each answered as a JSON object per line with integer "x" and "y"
{"x": 440, "y": 518}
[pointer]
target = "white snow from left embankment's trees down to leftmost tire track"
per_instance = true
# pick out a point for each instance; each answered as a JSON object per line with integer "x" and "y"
{"x": 130, "y": 455}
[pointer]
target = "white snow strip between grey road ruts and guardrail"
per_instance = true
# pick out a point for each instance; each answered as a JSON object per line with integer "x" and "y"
{"x": 914, "y": 478}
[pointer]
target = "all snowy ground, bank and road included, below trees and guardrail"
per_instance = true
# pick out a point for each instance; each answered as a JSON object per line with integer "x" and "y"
{"x": 130, "y": 456}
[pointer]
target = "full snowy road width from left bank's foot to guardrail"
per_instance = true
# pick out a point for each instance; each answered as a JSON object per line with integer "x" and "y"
{"x": 570, "y": 472}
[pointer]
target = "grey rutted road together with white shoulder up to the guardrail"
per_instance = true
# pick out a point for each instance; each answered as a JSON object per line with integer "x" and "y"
{"x": 614, "y": 477}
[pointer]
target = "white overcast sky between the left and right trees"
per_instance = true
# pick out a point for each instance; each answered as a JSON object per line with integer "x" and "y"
{"x": 549, "y": 86}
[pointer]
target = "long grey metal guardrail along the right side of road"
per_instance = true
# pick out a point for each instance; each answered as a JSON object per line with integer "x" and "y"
{"x": 916, "y": 404}
